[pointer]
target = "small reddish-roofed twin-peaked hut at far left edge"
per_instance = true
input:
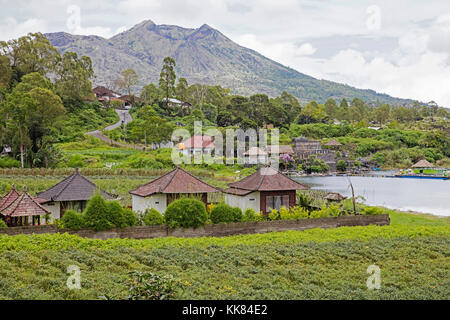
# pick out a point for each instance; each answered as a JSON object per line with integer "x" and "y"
{"x": 19, "y": 211}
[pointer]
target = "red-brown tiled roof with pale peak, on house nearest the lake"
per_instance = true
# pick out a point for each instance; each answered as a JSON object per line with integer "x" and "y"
{"x": 267, "y": 179}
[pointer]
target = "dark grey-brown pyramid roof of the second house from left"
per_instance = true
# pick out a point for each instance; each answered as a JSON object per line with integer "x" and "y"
{"x": 74, "y": 188}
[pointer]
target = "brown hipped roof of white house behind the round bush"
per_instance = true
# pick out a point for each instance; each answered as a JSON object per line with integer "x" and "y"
{"x": 175, "y": 181}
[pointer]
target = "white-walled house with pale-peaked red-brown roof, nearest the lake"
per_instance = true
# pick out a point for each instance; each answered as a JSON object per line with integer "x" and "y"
{"x": 263, "y": 191}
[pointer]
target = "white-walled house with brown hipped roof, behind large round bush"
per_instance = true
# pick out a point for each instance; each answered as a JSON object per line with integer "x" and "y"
{"x": 159, "y": 193}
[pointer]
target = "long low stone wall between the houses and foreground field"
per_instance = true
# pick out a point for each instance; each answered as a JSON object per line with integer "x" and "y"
{"x": 212, "y": 230}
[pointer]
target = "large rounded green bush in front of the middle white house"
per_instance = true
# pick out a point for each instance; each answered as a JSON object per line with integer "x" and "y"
{"x": 186, "y": 213}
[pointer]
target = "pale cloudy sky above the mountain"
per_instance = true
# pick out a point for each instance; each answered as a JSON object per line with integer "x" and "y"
{"x": 397, "y": 47}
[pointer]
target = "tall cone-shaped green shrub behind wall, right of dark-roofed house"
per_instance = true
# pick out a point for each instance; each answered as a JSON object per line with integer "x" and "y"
{"x": 97, "y": 215}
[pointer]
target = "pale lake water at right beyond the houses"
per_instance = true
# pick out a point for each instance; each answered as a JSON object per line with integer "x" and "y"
{"x": 420, "y": 195}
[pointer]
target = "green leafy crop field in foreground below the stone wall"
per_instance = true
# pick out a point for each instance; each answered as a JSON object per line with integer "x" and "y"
{"x": 413, "y": 254}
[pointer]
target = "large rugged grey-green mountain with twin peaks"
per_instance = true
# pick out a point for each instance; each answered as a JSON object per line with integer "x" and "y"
{"x": 203, "y": 55}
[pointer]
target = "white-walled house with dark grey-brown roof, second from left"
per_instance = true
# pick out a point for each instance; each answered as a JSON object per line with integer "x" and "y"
{"x": 71, "y": 193}
